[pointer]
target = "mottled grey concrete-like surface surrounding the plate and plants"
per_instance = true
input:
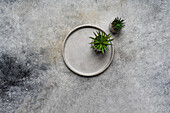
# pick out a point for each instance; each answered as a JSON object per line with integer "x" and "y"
{"x": 33, "y": 77}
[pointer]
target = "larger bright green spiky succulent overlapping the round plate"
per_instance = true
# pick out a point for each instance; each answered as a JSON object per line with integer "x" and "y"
{"x": 101, "y": 41}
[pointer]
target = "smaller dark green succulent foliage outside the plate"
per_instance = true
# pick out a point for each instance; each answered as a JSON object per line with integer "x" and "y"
{"x": 118, "y": 24}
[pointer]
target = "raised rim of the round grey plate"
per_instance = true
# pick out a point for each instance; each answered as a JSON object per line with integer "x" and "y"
{"x": 82, "y": 73}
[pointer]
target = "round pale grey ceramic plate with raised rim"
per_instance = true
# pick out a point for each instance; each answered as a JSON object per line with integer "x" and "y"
{"x": 78, "y": 55}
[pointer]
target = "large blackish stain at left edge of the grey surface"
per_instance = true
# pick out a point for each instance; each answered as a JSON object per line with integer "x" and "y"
{"x": 17, "y": 75}
